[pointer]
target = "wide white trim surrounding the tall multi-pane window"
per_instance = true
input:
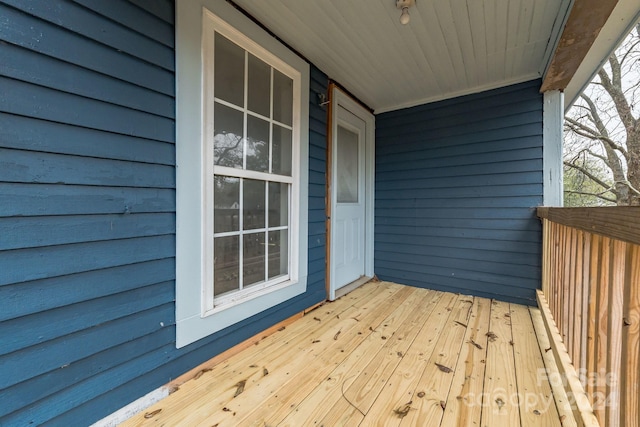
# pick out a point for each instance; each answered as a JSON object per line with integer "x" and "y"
{"x": 191, "y": 255}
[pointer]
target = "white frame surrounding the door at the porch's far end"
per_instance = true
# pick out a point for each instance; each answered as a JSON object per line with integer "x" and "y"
{"x": 337, "y": 98}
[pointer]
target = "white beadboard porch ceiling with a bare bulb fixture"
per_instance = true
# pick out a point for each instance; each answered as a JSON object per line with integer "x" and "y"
{"x": 450, "y": 47}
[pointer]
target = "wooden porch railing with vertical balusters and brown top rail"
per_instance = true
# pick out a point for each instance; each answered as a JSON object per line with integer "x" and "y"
{"x": 591, "y": 283}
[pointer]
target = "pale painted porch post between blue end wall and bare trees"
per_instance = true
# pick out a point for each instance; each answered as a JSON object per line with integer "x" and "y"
{"x": 553, "y": 121}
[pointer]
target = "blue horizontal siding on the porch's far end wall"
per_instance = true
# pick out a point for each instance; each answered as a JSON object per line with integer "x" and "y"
{"x": 456, "y": 186}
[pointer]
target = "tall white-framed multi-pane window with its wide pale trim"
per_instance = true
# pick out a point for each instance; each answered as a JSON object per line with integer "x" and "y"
{"x": 241, "y": 169}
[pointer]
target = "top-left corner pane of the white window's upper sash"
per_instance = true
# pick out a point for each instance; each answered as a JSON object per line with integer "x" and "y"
{"x": 228, "y": 71}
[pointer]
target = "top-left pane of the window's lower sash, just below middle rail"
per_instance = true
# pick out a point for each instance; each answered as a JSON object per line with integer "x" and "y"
{"x": 226, "y": 200}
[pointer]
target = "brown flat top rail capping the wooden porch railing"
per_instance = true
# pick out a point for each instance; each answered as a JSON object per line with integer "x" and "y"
{"x": 618, "y": 222}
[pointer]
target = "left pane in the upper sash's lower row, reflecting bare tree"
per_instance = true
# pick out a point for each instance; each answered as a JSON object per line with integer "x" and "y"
{"x": 227, "y": 140}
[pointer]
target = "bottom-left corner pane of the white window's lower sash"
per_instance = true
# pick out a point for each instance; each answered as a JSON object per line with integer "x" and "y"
{"x": 226, "y": 263}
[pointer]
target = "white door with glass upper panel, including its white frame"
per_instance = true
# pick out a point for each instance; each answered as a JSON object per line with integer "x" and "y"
{"x": 350, "y": 191}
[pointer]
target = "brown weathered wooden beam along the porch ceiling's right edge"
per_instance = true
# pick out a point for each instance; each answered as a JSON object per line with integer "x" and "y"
{"x": 586, "y": 19}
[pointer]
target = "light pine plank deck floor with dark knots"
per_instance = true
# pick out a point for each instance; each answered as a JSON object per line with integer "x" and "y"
{"x": 385, "y": 354}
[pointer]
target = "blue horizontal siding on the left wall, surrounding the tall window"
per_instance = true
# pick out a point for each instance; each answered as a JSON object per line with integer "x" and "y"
{"x": 87, "y": 210}
